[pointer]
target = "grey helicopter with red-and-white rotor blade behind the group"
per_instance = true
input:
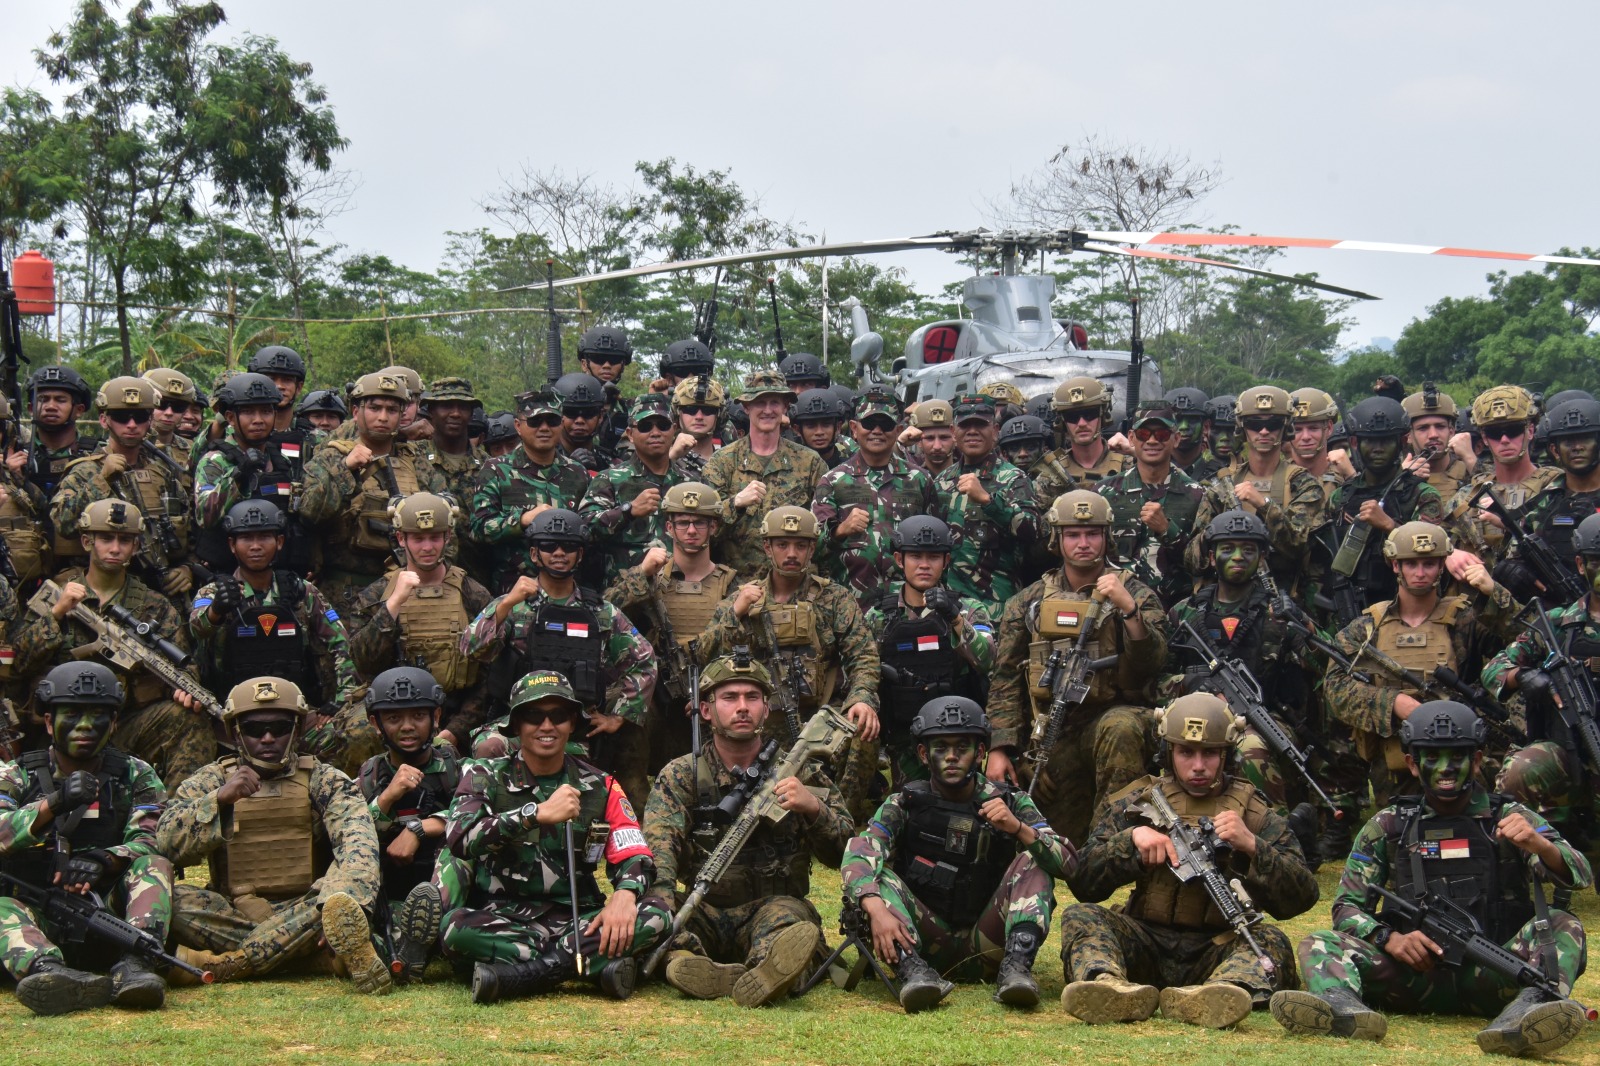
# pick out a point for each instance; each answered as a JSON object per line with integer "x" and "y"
{"x": 1014, "y": 334}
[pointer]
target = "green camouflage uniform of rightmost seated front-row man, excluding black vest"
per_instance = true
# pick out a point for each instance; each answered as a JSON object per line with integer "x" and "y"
{"x": 1343, "y": 956}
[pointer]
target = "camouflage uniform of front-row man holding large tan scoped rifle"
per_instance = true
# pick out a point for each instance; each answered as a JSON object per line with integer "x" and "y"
{"x": 767, "y": 886}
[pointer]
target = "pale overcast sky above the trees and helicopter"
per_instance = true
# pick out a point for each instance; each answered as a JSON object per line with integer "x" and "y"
{"x": 1455, "y": 124}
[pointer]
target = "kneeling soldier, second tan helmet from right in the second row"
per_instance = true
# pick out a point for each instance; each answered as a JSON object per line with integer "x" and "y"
{"x": 1108, "y": 745}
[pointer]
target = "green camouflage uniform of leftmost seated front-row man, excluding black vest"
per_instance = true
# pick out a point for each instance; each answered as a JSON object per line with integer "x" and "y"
{"x": 143, "y": 892}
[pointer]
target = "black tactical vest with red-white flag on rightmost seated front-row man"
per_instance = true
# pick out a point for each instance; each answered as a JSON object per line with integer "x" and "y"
{"x": 1458, "y": 859}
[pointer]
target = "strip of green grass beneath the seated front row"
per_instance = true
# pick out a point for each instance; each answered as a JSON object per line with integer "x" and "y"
{"x": 319, "y": 1020}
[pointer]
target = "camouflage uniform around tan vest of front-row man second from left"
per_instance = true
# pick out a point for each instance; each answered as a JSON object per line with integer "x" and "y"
{"x": 196, "y": 828}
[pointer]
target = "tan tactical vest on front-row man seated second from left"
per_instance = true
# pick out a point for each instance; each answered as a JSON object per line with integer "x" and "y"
{"x": 273, "y": 852}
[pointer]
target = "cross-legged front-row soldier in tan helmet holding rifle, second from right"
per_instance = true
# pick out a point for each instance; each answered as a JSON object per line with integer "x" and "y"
{"x": 1170, "y": 944}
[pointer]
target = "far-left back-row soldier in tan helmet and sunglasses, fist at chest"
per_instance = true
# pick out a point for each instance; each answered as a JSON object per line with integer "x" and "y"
{"x": 126, "y": 470}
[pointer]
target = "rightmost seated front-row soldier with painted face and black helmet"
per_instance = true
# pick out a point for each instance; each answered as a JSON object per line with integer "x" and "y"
{"x": 1476, "y": 851}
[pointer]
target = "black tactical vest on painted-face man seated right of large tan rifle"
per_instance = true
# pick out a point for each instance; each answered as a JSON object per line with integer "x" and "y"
{"x": 950, "y": 856}
